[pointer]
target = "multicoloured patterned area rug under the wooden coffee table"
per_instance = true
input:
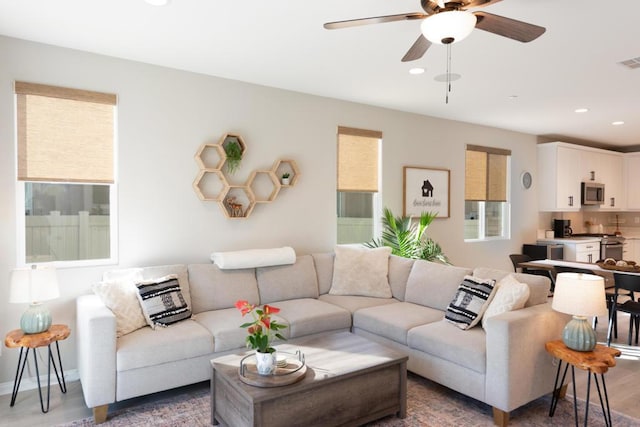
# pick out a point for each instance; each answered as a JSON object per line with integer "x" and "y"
{"x": 429, "y": 404}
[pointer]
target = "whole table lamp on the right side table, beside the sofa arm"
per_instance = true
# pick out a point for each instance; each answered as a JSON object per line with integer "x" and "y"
{"x": 580, "y": 295}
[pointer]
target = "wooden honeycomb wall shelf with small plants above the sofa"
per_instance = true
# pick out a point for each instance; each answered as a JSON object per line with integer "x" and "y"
{"x": 238, "y": 201}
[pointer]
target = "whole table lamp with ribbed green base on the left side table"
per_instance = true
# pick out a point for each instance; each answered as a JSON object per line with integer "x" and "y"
{"x": 33, "y": 285}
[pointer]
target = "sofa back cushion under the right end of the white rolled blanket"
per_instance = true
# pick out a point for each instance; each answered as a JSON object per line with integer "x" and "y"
{"x": 285, "y": 282}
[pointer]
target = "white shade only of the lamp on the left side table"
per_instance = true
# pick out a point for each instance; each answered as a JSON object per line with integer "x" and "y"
{"x": 33, "y": 284}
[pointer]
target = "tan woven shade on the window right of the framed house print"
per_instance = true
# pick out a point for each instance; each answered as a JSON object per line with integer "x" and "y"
{"x": 486, "y": 174}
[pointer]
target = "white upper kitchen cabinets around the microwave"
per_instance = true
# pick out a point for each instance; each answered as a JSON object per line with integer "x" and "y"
{"x": 563, "y": 167}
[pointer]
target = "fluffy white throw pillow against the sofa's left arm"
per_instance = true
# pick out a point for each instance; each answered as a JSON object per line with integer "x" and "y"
{"x": 121, "y": 297}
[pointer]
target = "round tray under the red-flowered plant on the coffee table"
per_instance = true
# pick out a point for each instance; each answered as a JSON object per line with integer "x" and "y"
{"x": 290, "y": 369}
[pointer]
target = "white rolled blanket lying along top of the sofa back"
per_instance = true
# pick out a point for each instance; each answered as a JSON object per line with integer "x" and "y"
{"x": 252, "y": 258}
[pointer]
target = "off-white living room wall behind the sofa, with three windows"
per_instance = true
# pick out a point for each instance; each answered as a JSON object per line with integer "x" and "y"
{"x": 164, "y": 116}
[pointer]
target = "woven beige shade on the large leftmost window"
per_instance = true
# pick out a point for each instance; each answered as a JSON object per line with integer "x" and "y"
{"x": 64, "y": 135}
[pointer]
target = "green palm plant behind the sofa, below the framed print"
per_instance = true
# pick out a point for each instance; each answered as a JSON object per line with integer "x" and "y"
{"x": 406, "y": 238}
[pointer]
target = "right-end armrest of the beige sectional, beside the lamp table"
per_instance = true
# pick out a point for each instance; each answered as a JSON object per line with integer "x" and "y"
{"x": 519, "y": 369}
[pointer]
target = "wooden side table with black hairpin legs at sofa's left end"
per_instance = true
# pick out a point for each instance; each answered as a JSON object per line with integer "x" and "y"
{"x": 17, "y": 338}
